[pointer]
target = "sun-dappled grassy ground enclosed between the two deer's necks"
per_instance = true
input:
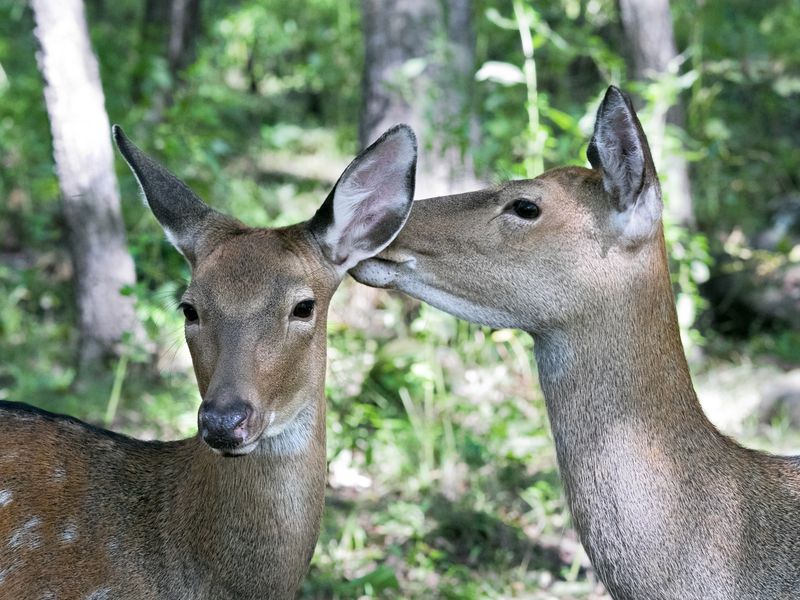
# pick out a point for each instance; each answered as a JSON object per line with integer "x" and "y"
{"x": 450, "y": 486}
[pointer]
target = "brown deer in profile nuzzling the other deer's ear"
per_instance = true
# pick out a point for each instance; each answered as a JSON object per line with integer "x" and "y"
{"x": 666, "y": 506}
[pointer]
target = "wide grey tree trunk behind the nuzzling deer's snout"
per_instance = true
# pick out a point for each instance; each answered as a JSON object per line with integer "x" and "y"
{"x": 419, "y": 68}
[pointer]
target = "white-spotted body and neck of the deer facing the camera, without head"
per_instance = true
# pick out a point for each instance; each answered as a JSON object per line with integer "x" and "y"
{"x": 160, "y": 522}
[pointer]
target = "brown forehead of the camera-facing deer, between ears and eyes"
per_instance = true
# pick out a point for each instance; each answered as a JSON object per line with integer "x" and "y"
{"x": 260, "y": 269}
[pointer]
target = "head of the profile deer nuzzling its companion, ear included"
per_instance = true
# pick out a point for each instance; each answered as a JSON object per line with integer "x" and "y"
{"x": 538, "y": 254}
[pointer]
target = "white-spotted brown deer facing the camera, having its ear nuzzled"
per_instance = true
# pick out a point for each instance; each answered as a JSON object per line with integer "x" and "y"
{"x": 233, "y": 512}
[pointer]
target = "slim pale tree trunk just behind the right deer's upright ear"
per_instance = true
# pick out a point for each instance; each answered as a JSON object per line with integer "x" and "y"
{"x": 647, "y": 25}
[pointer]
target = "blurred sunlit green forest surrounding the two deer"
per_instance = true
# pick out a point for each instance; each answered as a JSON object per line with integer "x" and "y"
{"x": 443, "y": 480}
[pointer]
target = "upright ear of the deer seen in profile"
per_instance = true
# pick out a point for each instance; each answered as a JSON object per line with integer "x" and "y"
{"x": 620, "y": 151}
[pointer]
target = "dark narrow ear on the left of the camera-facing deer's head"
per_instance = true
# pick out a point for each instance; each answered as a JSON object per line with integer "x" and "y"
{"x": 187, "y": 221}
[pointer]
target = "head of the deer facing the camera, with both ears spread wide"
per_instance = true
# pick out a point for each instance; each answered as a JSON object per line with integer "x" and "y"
{"x": 257, "y": 304}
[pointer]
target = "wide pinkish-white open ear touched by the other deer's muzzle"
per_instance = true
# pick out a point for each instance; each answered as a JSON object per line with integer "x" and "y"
{"x": 371, "y": 201}
